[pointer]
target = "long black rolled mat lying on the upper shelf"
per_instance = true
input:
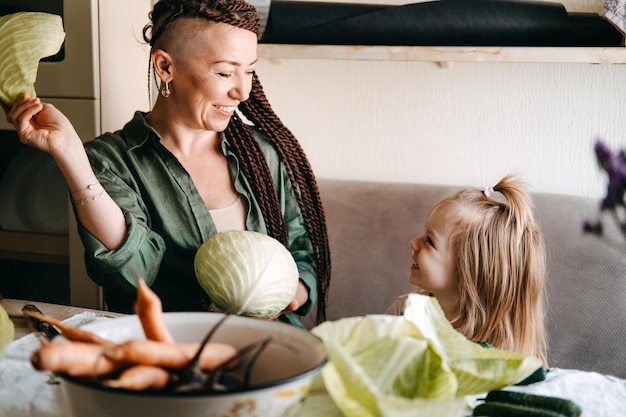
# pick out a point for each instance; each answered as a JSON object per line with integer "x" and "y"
{"x": 444, "y": 22}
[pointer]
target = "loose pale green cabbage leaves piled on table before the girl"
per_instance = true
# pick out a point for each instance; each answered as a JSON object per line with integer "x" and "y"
{"x": 412, "y": 365}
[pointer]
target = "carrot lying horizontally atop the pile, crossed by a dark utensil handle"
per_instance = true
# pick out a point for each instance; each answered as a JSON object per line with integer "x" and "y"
{"x": 170, "y": 355}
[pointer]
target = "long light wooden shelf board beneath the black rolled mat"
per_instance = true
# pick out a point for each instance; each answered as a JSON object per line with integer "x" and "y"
{"x": 443, "y": 54}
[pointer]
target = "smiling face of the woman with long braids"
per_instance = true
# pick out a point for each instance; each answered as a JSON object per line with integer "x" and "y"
{"x": 212, "y": 69}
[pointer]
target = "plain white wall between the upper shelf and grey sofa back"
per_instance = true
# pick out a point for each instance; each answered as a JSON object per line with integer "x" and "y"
{"x": 469, "y": 124}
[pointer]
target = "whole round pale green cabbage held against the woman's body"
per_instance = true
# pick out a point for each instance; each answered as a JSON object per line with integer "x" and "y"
{"x": 246, "y": 273}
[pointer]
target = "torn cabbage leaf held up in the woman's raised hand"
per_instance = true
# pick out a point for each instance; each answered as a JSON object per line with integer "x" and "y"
{"x": 26, "y": 38}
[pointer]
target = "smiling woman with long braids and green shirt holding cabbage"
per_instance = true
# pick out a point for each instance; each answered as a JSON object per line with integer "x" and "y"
{"x": 147, "y": 196}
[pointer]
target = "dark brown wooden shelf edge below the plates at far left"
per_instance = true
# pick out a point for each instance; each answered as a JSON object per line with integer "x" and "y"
{"x": 34, "y": 247}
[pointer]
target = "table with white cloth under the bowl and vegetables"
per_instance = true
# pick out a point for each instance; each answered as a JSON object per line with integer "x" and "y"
{"x": 25, "y": 392}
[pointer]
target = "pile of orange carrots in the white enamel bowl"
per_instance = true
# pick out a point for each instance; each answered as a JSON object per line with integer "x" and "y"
{"x": 136, "y": 364}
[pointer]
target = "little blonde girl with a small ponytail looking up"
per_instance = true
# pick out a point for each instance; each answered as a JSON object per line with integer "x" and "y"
{"x": 483, "y": 258}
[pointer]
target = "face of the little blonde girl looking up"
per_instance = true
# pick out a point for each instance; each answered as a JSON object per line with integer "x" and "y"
{"x": 433, "y": 259}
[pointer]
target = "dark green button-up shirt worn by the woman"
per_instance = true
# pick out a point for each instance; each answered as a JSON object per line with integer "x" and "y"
{"x": 167, "y": 219}
